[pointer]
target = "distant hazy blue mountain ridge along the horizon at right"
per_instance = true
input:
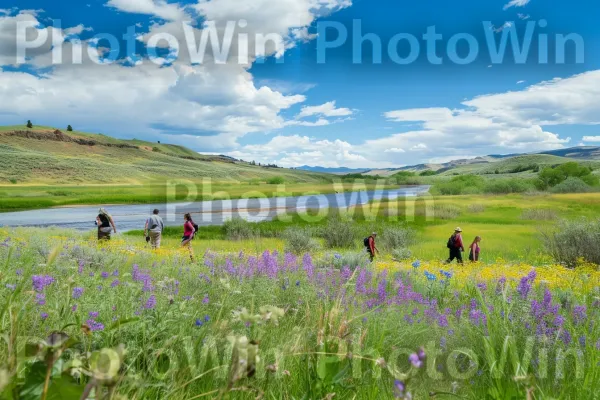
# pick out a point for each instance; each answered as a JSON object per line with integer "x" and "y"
{"x": 578, "y": 153}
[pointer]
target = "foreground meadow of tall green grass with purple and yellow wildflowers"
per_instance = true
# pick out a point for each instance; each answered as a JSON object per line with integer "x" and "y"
{"x": 247, "y": 320}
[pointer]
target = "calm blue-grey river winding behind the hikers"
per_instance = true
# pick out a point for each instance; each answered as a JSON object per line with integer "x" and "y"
{"x": 216, "y": 212}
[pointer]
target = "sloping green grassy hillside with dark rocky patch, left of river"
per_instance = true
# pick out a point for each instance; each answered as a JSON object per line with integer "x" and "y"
{"x": 43, "y": 156}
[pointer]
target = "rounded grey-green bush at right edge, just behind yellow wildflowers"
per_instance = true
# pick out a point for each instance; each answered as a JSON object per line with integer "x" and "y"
{"x": 574, "y": 240}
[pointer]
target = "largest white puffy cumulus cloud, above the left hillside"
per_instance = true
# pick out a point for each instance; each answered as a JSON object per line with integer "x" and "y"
{"x": 207, "y": 107}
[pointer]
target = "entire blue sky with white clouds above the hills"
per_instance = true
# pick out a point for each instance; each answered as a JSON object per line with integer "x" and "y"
{"x": 339, "y": 83}
